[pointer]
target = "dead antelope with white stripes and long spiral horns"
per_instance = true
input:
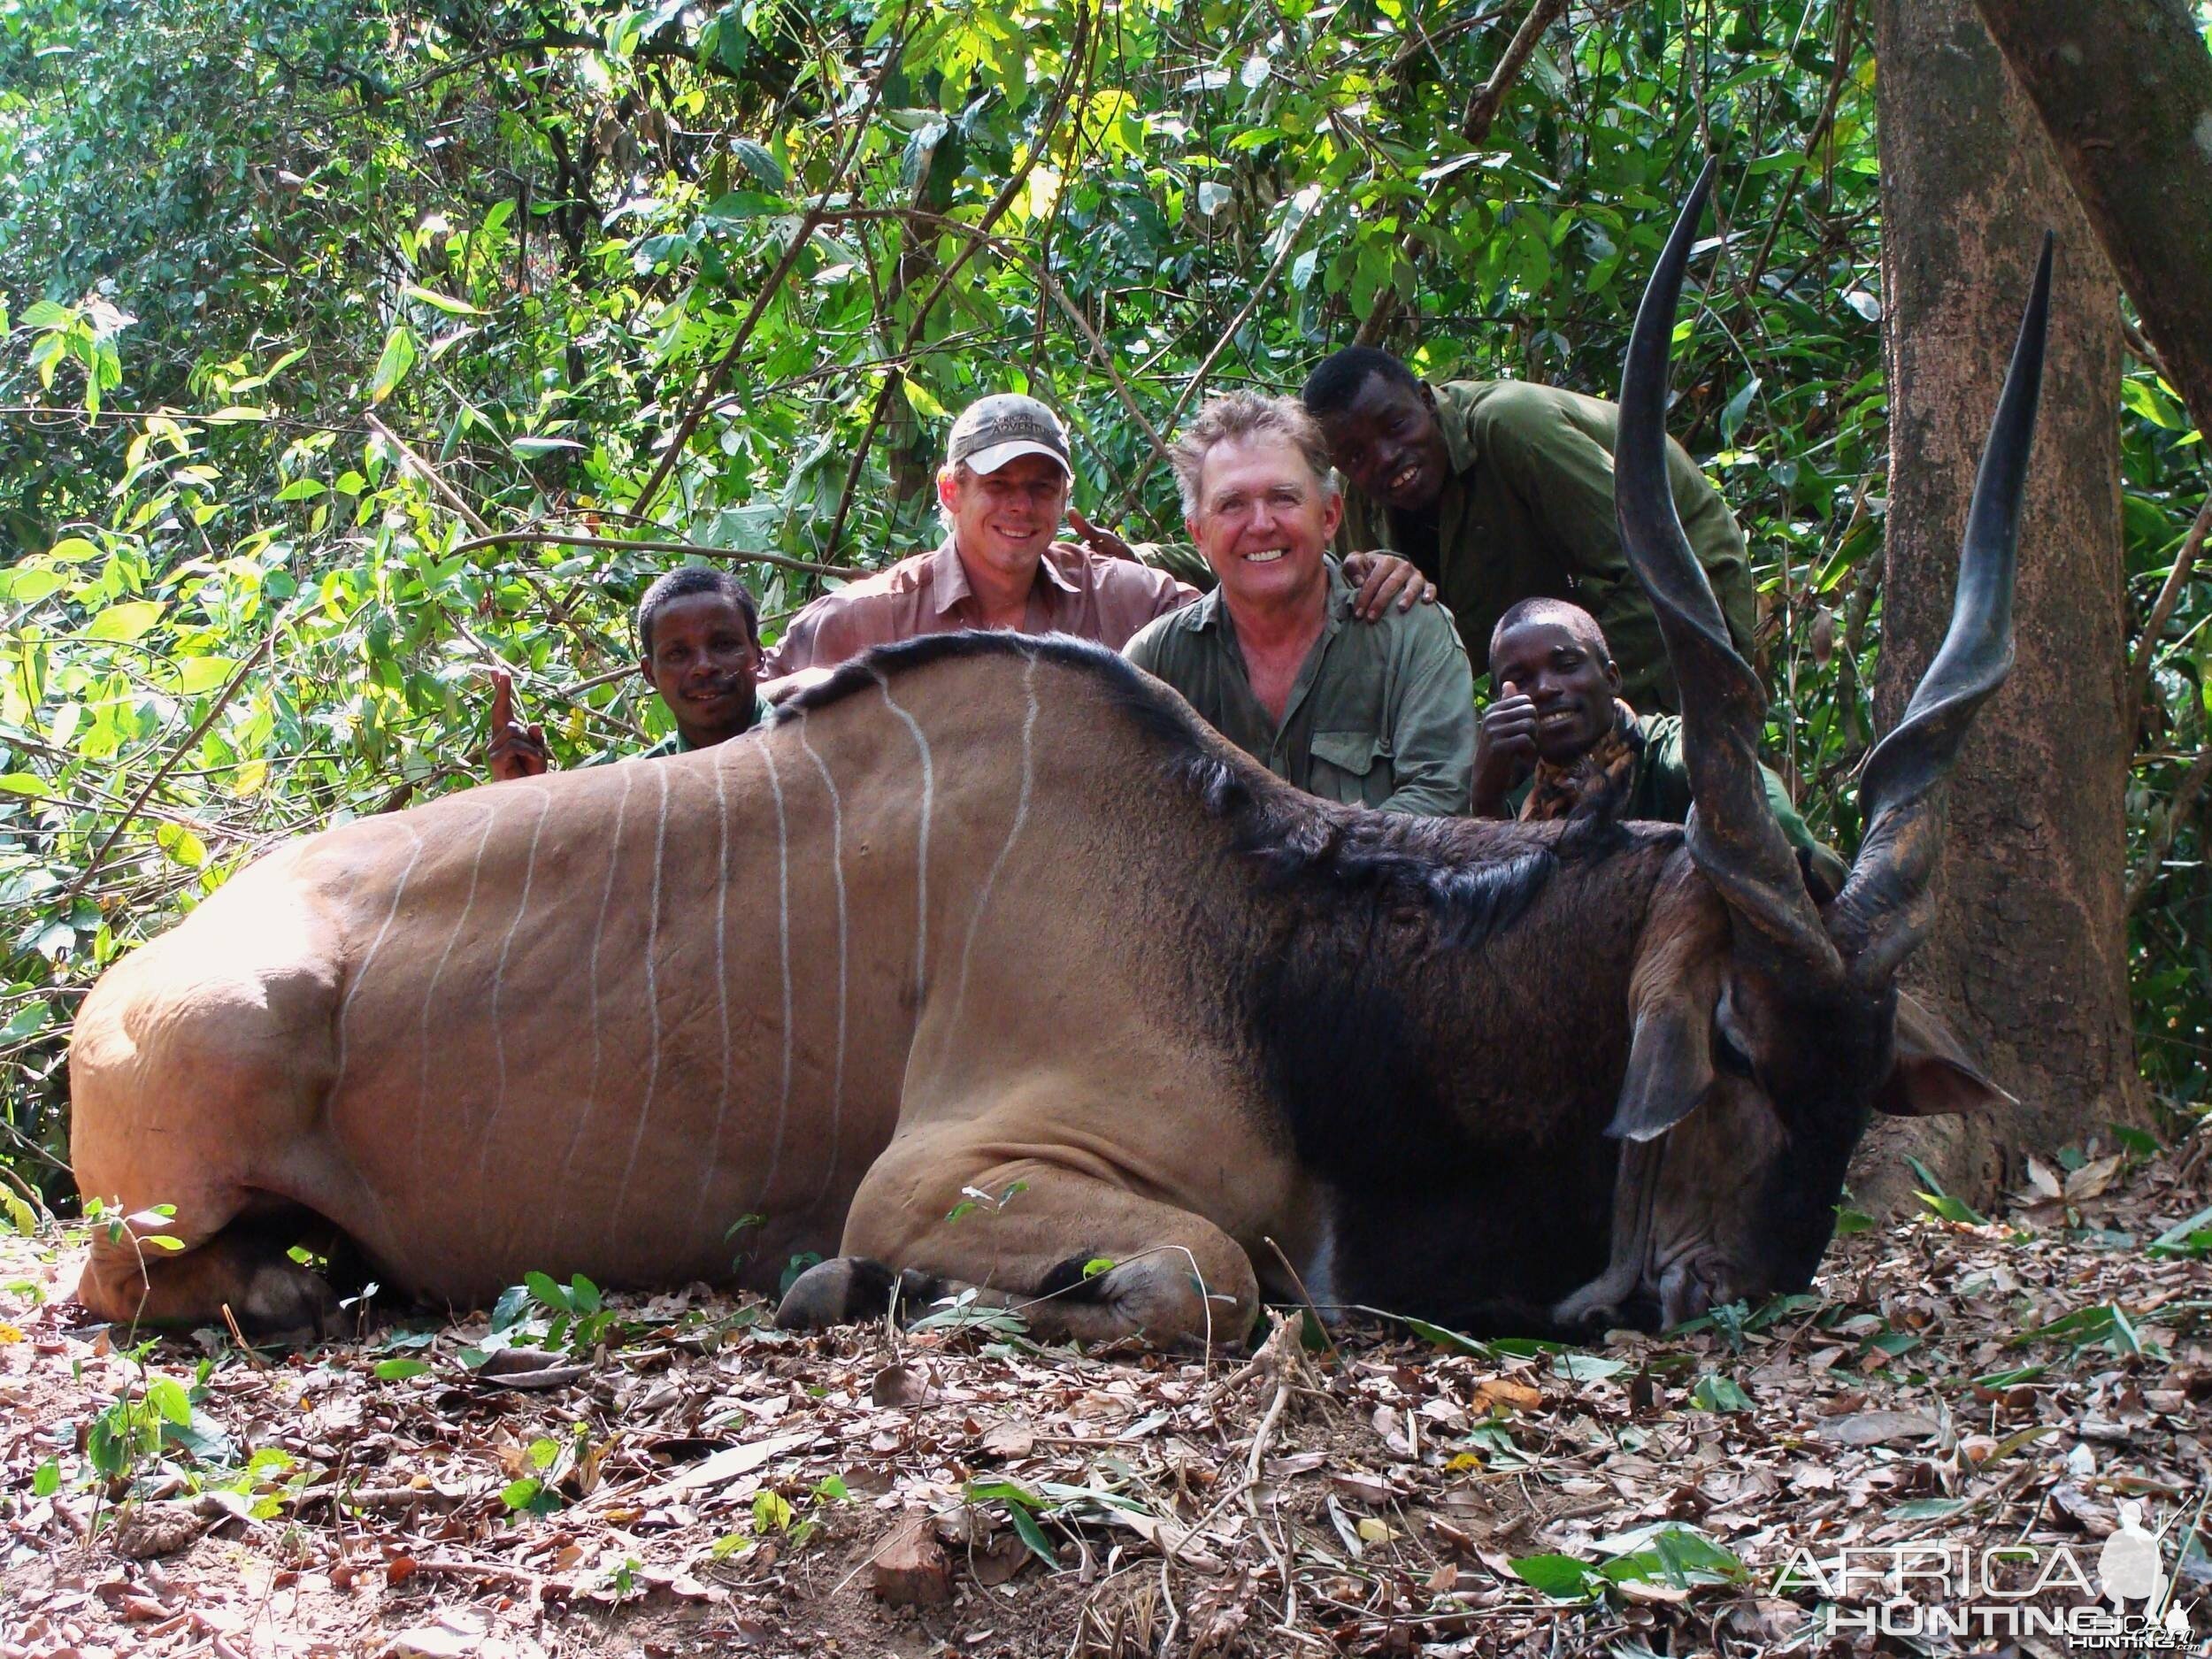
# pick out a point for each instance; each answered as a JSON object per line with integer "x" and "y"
{"x": 997, "y": 917}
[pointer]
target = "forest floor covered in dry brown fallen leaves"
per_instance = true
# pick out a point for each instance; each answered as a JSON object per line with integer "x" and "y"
{"x": 671, "y": 1474}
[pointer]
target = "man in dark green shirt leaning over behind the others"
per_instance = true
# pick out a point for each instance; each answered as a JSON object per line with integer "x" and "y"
{"x": 1501, "y": 492}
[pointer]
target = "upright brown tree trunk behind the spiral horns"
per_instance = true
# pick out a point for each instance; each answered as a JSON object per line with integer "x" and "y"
{"x": 2030, "y": 954}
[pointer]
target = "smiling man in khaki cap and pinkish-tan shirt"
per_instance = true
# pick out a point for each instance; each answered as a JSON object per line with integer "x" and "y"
{"x": 1003, "y": 494}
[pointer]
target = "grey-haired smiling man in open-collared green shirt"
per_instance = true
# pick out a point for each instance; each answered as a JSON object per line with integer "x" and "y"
{"x": 1377, "y": 713}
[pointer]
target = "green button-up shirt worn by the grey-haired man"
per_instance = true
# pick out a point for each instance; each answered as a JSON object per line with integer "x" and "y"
{"x": 1381, "y": 716}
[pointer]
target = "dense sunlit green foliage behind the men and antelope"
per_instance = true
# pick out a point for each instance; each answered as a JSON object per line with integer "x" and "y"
{"x": 315, "y": 306}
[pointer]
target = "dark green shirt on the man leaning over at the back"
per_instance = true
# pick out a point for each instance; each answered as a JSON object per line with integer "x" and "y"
{"x": 1530, "y": 514}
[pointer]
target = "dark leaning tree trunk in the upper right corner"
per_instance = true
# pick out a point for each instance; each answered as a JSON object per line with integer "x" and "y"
{"x": 2125, "y": 90}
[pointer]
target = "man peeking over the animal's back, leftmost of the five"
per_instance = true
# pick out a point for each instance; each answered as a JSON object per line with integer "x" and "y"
{"x": 700, "y": 649}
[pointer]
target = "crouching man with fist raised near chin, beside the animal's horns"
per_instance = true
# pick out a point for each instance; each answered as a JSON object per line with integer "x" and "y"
{"x": 1561, "y": 742}
